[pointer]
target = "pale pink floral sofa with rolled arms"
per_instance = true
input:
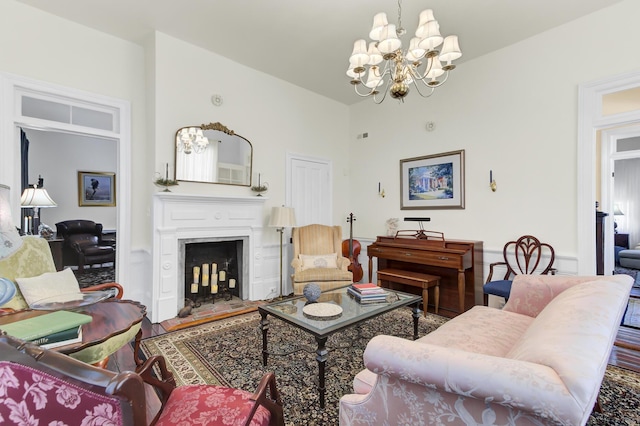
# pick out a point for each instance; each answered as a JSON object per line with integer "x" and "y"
{"x": 538, "y": 361}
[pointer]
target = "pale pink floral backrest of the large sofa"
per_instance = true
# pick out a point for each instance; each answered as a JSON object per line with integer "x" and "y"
{"x": 574, "y": 334}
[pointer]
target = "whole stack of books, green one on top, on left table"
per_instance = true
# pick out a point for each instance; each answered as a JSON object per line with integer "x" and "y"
{"x": 50, "y": 330}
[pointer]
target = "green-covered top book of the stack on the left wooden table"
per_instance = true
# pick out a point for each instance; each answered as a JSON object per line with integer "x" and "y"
{"x": 44, "y": 325}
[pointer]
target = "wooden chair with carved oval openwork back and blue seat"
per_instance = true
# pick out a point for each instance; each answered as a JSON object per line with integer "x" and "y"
{"x": 526, "y": 255}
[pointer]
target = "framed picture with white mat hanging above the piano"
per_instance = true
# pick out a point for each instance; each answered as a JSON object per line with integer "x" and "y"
{"x": 432, "y": 181}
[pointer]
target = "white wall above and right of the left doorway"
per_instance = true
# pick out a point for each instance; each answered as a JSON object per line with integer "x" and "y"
{"x": 41, "y": 46}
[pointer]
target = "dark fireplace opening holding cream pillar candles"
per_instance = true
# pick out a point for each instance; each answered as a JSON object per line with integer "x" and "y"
{"x": 213, "y": 271}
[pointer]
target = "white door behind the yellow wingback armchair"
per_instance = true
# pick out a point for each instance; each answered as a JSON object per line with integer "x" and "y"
{"x": 309, "y": 189}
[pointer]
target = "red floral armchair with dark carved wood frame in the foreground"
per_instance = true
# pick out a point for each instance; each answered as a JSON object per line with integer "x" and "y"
{"x": 48, "y": 387}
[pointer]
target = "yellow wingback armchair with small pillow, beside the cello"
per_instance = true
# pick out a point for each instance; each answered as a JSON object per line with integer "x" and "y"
{"x": 317, "y": 258}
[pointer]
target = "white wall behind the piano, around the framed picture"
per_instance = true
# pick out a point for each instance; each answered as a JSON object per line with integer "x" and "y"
{"x": 514, "y": 111}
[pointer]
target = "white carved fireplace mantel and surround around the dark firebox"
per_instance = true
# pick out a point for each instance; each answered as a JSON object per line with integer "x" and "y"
{"x": 178, "y": 217}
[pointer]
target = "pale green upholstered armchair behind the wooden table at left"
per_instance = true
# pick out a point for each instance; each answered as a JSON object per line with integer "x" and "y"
{"x": 34, "y": 259}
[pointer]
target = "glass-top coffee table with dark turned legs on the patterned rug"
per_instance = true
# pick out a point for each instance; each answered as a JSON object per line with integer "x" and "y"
{"x": 344, "y": 313}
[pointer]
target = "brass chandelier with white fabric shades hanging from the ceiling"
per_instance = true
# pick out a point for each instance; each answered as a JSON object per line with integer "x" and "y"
{"x": 421, "y": 65}
